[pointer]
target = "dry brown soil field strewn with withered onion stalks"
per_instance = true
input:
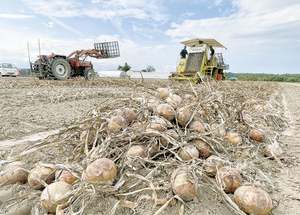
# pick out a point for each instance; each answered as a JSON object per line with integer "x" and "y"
{"x": 32, "y": 109}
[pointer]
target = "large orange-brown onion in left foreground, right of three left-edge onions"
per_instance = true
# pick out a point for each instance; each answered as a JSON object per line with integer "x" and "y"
{"x": 102, "y": 171}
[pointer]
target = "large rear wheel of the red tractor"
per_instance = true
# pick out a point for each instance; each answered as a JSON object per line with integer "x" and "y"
{"x": 60, "y": 69}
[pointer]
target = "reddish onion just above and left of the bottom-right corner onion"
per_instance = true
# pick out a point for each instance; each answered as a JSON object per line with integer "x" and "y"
{"x": 229, "y": 179}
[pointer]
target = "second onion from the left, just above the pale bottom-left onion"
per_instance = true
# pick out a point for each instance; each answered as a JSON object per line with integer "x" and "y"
{"x": 45, "y": 174}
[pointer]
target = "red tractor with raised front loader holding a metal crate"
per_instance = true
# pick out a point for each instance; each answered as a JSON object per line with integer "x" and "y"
{"x": 61, "y": 67}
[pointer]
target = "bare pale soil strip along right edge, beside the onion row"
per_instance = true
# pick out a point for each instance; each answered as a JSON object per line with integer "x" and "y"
{"x": 288, "y": 181}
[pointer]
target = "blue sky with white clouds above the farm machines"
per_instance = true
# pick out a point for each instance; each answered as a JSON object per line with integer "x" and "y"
{"x": 260, "y": 36}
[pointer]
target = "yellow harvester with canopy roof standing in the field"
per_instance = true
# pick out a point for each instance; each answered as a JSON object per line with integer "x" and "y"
{"x": 202, "y": 61}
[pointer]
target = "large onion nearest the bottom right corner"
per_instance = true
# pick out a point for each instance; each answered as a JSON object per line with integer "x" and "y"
{"x": 253, "y": 200}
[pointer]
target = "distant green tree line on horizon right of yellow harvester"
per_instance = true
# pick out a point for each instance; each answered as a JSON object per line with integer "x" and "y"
{"x": 263, "y": 77}
